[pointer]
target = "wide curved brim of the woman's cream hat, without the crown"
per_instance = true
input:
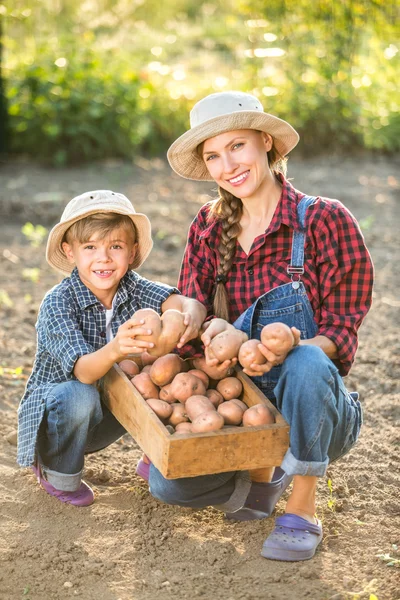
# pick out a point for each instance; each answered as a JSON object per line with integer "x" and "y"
{"x": 183, "y": 156}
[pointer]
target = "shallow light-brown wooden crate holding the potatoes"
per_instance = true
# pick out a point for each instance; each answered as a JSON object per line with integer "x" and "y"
{"x": 189, "y": 455}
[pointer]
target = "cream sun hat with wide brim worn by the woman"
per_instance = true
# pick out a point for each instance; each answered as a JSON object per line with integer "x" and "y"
{"x": 219, "y": 113}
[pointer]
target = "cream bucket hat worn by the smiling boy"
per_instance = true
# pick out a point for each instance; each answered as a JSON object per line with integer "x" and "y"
{"x": 90, "y": 203}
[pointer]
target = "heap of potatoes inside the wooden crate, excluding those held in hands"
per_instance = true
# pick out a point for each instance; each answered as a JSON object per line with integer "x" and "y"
{"x": 189, "y": 399}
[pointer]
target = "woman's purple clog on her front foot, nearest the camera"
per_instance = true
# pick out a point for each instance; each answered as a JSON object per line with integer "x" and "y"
{"x": 293, "y": 539}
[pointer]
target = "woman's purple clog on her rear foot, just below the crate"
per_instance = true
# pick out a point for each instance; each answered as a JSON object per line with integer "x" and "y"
{"x": 262, "y": 498}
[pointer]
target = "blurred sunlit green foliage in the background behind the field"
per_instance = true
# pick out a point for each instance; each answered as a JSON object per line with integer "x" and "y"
{"x": 100, "y": 78}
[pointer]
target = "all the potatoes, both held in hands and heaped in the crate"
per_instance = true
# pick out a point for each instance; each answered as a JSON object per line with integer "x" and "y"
{"x": 191, "y": 396}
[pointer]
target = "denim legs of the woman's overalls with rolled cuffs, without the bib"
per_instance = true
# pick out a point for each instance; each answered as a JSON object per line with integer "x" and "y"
{"x": 324, "y": 419}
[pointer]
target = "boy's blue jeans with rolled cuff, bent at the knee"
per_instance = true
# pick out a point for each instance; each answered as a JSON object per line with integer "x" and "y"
{"x": 75, "y": 423}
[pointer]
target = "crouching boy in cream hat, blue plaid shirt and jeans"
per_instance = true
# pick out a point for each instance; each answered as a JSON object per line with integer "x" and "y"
{"x": 84, "y": 327}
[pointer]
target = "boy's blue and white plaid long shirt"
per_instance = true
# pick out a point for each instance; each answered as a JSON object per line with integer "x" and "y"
{"x": 72, "y": 323}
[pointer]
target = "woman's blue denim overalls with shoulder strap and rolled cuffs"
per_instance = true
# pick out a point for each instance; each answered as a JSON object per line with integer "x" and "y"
{"x": 324, "y": 418}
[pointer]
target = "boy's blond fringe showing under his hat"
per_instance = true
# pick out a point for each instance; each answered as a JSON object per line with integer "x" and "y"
{"x": 99, "y": 223}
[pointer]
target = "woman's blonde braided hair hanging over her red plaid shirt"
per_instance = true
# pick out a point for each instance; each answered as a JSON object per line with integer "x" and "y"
{"x": 228, "y": 209}
